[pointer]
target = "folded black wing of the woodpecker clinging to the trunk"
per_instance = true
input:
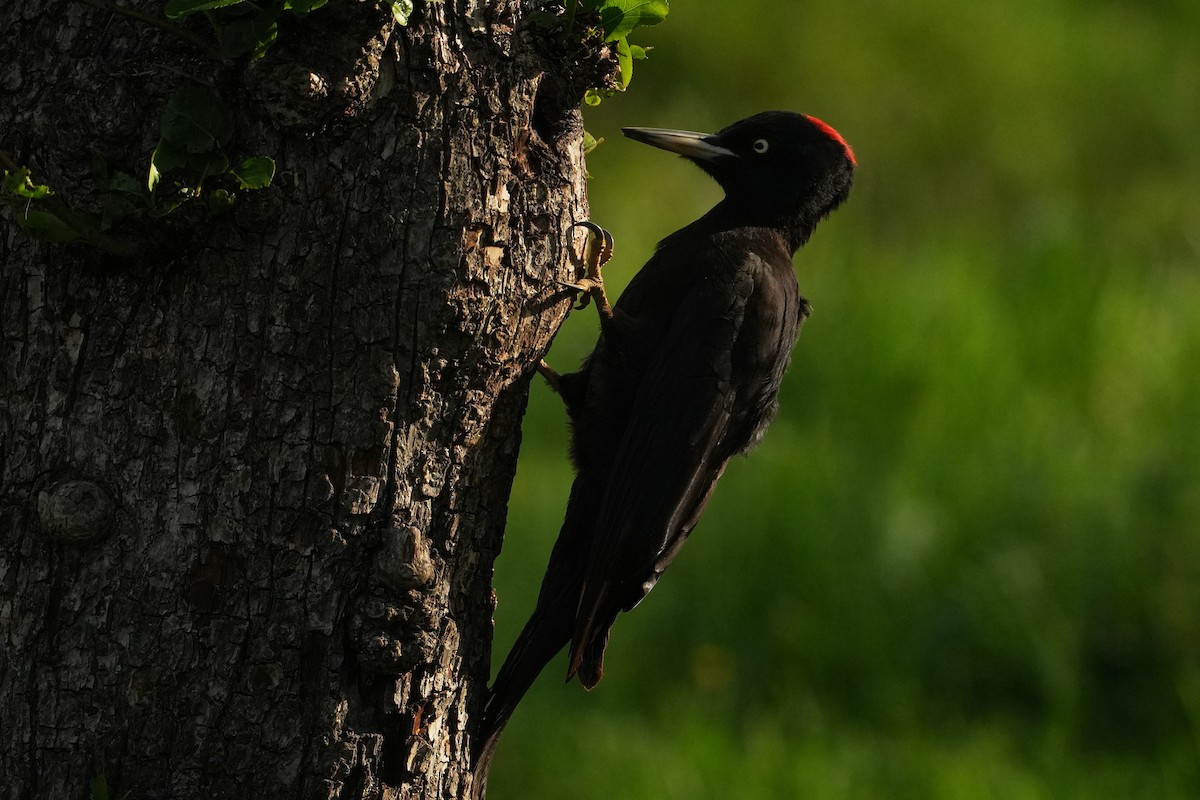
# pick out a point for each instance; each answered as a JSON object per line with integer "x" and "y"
{"x": 671, "y": 454}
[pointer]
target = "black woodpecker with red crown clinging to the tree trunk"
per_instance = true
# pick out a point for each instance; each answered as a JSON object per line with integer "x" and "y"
{"x": 685, "y": 377}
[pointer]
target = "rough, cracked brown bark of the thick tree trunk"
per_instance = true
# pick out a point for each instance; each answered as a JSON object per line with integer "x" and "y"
{"x": 254, "y": 478}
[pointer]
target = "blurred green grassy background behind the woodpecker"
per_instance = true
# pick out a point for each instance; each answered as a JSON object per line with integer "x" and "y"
{"x": 967, "y": 561}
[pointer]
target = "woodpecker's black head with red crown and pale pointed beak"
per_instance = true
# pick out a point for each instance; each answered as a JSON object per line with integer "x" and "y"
{"x": 778, "y": 169}
